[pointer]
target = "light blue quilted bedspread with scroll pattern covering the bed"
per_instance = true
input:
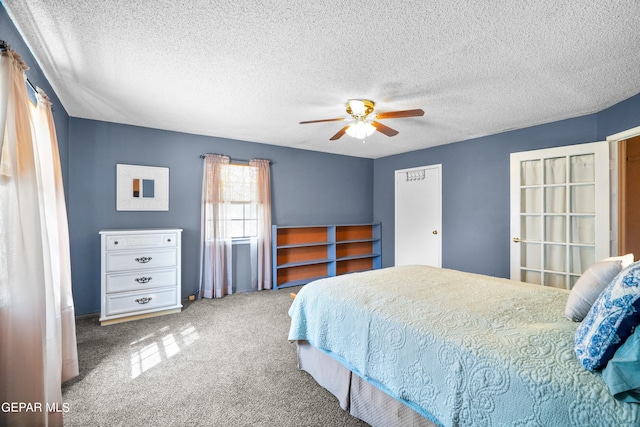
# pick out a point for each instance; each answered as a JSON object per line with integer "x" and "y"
{"x": 462, "y": 349}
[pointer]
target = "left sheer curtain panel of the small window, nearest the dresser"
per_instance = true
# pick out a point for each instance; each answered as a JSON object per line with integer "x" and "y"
{"x": 216, "y": 250}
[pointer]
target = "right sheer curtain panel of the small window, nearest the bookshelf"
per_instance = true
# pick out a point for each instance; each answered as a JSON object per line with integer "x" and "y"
{"x": 261, "y": 244}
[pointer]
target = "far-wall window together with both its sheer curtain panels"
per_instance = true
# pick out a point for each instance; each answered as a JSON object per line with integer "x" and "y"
{"x": 236, "y": 205}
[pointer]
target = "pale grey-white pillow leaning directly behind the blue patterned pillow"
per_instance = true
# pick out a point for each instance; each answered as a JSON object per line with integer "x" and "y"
{"x": 591, "y": 284}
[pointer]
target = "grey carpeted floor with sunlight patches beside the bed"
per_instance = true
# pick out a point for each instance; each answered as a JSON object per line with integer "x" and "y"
{"x": 224, "y": 362}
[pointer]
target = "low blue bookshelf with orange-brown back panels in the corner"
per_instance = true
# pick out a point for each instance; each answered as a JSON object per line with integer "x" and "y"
{"x": 302, "y": 254}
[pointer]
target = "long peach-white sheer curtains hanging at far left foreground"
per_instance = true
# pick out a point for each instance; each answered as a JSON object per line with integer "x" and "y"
{"x": 37, "y": 329}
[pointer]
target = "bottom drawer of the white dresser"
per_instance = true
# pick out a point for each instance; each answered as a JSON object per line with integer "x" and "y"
{"x": 140, "y": 301}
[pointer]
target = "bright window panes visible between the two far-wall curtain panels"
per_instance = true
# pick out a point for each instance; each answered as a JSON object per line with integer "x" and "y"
{"x": 240, "y": 195}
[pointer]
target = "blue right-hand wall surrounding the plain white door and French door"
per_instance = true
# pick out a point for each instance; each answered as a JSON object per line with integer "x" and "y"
{"x": 475, "y": 185}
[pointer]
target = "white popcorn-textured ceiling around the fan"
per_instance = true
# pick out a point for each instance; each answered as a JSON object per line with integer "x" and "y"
{"x": 251, "y": 70}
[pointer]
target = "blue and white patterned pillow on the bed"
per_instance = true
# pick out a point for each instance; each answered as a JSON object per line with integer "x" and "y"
{"x": 611, "y": 320}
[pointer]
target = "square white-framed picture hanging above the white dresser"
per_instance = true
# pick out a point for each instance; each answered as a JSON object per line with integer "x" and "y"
{"x": 142, "y": 188}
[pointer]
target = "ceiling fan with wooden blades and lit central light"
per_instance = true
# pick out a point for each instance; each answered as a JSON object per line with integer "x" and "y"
{"x": 364, "y": 120}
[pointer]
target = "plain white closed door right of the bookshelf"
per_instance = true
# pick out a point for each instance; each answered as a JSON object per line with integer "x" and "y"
{"x": 418, "y": 237}
